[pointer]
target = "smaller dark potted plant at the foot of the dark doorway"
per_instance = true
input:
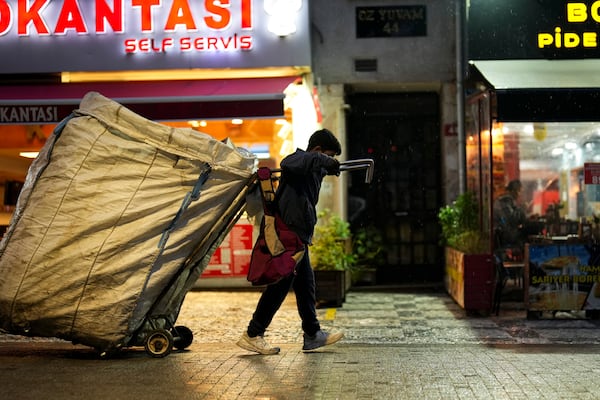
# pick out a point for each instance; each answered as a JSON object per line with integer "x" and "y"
{"x": 367, "y": 249}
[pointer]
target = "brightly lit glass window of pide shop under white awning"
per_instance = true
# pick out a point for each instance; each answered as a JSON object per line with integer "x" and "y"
{"x": 548, "y": 159}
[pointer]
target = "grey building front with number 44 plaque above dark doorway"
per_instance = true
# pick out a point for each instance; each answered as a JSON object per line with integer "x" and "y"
{"x": 387, "y": 68}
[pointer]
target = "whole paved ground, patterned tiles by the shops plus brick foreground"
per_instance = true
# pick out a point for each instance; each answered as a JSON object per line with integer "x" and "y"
{"x": 398, "y": 345}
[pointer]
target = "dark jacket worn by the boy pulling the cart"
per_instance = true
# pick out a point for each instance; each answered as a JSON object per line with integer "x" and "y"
{"x": 298, "y": 193}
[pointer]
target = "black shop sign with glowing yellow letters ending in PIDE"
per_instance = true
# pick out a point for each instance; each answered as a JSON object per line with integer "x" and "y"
{"x": 519, "y": 29}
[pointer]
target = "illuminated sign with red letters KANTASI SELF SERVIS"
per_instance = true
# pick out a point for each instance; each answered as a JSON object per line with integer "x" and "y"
{"x": 33, "y": 20}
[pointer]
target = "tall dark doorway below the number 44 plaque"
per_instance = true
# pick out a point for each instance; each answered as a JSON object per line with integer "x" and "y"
{"x": 401, "y": 132}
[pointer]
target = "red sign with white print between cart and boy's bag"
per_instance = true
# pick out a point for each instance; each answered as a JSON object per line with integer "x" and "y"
{"x": 232, "y": 258}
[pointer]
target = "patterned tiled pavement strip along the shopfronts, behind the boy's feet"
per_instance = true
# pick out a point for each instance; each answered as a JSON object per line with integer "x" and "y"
{"x": 422, "y": 316}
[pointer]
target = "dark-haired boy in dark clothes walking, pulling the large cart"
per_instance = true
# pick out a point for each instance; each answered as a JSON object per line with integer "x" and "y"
{"x": 301, "y": 176}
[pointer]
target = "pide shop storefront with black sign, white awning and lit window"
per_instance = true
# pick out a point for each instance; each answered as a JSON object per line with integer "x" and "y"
{"x": 532, "y": 117}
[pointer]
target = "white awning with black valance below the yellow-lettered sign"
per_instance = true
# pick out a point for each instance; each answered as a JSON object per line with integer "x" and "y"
{"x": 543, "y": 90}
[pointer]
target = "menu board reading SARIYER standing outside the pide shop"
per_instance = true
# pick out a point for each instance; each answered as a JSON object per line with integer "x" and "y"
{"x": 562, "y": 277}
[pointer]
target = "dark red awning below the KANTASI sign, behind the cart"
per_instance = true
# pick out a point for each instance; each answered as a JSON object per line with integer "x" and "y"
{"x": 162, "y": 100}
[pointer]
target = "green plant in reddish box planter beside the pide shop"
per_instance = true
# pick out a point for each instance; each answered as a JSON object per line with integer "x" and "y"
{"x": 470, "y": 274}
